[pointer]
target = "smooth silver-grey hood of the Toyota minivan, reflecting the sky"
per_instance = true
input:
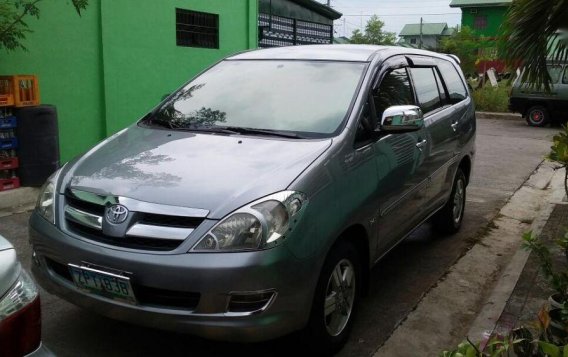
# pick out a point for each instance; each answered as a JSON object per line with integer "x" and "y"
{"x": 218, "y": 173}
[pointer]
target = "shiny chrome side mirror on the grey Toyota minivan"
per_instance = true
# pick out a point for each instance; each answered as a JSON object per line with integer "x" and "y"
{"x": 401, "y": 119}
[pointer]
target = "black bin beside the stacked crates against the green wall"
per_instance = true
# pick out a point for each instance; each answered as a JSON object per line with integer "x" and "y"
{"x": 38, "y": 138}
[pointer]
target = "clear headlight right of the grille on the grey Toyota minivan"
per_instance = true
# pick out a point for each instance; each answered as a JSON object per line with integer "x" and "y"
{"x": 259, "y": 225}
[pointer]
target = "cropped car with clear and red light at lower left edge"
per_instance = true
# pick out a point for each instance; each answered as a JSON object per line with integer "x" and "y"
{"x": 20, "y": 311}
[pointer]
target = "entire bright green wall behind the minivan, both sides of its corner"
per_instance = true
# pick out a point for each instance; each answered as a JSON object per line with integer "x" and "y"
{"x": 106, "y": 69}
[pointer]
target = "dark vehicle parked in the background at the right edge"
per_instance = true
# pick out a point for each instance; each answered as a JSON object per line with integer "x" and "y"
{"x": 537, "y": 106}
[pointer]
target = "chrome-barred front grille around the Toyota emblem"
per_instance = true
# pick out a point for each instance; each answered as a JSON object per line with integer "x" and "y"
{"x": 148, "y": 227}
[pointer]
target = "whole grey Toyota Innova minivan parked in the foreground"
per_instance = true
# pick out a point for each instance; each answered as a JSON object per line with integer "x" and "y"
{"x": 253, "y": 201}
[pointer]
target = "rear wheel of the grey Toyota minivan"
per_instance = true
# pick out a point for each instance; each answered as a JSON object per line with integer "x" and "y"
{"x": 448, "y": 220}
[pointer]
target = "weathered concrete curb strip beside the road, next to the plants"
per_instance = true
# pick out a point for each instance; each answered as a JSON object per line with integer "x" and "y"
{"x": 465, "y": 304}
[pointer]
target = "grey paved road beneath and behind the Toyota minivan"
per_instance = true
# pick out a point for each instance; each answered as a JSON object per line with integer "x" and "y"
{"x": 507, "y": 153}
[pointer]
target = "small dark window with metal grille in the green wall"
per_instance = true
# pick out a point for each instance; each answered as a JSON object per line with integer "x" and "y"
{"x": 197, "y": 29}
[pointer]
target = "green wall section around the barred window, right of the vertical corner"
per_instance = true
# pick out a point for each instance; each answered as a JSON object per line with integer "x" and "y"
{"x": 143, "y": 63}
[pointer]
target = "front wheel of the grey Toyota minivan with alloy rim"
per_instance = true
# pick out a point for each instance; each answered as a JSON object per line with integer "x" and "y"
{"x": 328, "y": 331}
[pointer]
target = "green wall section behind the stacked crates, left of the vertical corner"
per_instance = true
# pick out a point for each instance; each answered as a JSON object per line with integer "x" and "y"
{"x": 64, "y": 51}
